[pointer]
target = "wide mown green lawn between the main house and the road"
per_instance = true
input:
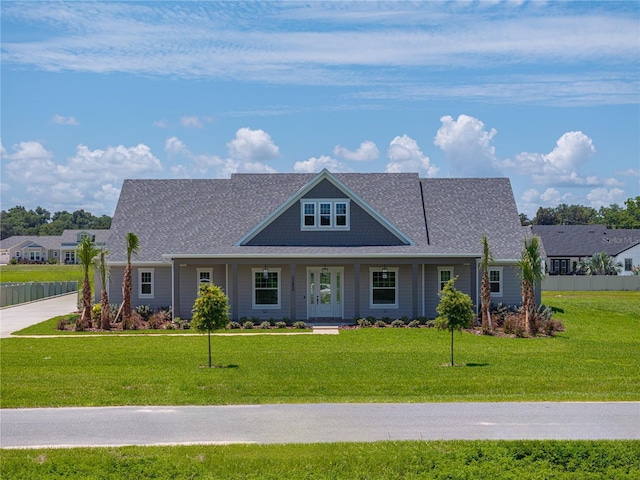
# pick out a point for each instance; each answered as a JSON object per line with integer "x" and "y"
{"x": 595, "y": 359}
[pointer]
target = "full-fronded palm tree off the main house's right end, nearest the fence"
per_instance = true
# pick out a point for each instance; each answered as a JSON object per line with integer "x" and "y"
{"x": 531, "y": 273}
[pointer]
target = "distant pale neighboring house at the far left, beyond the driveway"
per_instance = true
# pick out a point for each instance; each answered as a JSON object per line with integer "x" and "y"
{"x": 39, "y": 249}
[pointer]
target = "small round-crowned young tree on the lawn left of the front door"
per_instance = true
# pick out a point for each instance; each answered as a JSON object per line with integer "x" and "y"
{"x": 210, "y": 311}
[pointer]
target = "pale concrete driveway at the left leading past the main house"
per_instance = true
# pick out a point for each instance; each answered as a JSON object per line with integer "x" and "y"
{"x": 17, "y": 317}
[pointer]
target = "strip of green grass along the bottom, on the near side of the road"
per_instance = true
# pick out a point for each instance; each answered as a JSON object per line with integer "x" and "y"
{"x": 382, "y": 460}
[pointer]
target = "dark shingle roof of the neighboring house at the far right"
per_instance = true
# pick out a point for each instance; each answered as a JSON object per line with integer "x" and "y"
{"x": 584, "y": 240}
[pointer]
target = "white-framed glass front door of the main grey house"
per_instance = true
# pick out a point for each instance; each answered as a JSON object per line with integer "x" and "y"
{"x": 324, "y": 293}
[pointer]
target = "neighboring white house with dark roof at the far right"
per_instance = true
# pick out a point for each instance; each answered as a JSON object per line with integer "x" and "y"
{"x": 566, "y": 245}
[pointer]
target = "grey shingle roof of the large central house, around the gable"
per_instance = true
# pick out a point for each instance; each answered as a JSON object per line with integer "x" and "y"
{"x": 208, "y": 217}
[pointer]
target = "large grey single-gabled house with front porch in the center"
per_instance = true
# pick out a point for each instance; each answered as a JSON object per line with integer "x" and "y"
{"x": 315, "y": 247}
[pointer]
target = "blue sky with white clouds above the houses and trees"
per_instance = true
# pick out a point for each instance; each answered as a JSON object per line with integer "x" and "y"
{"x": 545, "y": 93}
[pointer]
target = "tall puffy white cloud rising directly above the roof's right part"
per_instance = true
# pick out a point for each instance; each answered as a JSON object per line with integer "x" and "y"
{"x": 467, "y": 145}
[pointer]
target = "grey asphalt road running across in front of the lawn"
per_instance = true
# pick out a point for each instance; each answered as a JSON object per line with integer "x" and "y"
{"x": 311, "y": 423}
